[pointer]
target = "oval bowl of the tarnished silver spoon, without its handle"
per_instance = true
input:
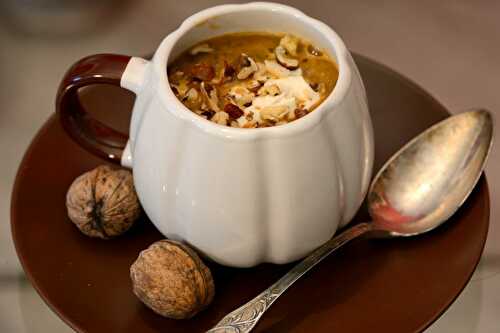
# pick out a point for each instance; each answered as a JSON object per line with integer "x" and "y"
{"x": 430, "y": 177}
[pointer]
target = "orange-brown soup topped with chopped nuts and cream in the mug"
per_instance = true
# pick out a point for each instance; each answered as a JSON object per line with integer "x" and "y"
{"x": 252, "y": 80}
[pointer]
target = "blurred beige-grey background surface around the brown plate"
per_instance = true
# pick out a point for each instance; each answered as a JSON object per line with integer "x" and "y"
{"x": 451, "y": 48}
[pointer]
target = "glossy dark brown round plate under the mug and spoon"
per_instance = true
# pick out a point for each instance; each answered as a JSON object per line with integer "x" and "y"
{"x": 398, "y": 285}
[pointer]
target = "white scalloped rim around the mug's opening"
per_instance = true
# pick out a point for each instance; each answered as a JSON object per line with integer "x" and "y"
{"x": 312, "y": 119}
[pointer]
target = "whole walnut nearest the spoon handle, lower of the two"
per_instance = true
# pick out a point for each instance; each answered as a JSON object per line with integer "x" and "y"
{"x": 171, "y": 279}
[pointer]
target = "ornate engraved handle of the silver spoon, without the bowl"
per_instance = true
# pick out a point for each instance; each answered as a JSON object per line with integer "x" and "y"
{"x": 244, "y": 318}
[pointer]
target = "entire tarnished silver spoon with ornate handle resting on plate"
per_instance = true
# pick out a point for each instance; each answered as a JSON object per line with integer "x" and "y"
{"x": 416, "y": 190}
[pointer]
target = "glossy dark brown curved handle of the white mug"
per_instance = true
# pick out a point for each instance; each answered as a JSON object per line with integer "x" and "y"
{"x": 93, "y": 135}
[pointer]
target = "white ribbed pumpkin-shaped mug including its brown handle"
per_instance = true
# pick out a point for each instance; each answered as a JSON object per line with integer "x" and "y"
{"x": 240, "y": 196}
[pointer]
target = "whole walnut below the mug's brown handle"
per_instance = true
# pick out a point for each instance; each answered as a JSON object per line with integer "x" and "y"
{"x": 103, "y": 202}
